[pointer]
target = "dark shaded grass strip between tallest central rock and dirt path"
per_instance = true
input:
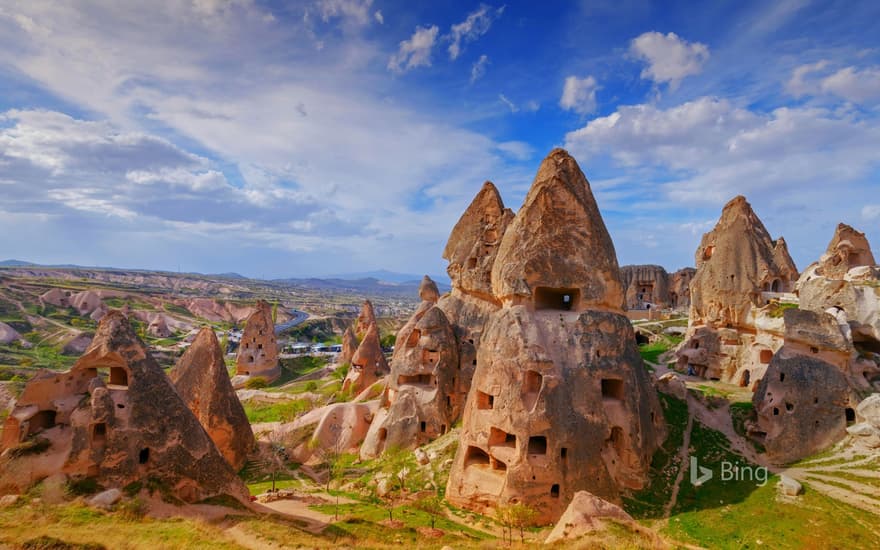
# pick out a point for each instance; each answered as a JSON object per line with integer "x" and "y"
{"x": 665, "y": 464}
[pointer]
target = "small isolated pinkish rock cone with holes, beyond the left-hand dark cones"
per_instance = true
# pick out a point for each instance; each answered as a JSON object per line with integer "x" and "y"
{"x": 258, "y": 351}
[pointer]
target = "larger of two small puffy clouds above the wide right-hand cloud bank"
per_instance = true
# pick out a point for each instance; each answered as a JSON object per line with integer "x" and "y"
{"x": 670, "y": 58}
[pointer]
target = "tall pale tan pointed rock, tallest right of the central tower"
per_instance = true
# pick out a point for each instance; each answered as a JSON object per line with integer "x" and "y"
{"x": 733, "y": 332}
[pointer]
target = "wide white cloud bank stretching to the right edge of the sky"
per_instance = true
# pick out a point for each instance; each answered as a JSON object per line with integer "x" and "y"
{"x": 711, "y": 150}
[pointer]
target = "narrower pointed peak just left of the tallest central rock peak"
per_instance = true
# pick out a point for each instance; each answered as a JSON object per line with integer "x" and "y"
{"x": 474, "y": 241}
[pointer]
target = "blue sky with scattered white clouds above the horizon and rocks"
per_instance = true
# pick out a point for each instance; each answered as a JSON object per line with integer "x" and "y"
{"x": 332, "y": 136}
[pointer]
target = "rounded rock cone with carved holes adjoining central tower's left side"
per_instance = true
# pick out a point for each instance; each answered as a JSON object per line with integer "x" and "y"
{"x": 421, "y": 401}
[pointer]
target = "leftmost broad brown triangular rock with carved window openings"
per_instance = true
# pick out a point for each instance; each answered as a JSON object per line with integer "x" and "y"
{"x": 114, "y": 417}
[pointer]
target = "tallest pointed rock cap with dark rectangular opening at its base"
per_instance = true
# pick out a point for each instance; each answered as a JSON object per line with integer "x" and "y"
{"x": 557, "y": 253}
